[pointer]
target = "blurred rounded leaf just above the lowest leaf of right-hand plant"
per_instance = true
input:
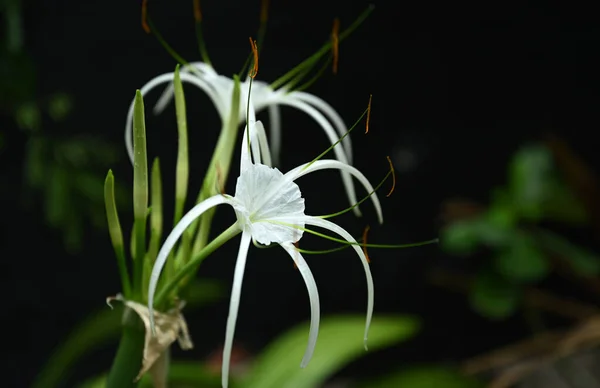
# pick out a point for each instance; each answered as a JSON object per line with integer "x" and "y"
{"x": 522, "y": 260}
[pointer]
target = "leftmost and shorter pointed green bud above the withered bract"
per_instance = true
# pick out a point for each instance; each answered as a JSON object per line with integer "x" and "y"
{"x": 116, "y": 234}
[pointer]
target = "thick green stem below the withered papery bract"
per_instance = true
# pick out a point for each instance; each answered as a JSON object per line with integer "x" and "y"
{"x": 128, "y": 360}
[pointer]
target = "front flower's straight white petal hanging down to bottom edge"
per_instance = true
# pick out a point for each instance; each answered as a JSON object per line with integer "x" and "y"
{"x": 234, "y": 304}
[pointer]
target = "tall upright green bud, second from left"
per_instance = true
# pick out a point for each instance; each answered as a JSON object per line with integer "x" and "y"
{"x": 140, "y": 188}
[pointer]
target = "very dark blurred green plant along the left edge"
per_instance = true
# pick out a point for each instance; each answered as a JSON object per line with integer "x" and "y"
{"x": 62, "y": 169}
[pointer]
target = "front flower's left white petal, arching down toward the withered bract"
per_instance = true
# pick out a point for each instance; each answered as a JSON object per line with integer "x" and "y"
{"x": 172, "y": 239}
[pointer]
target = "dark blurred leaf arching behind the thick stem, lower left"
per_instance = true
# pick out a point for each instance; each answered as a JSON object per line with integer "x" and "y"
{"x": 101, "y": 328}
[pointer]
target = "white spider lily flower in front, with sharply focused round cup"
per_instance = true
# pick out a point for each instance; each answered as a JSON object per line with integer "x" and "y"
{"x": 270, "y": 210}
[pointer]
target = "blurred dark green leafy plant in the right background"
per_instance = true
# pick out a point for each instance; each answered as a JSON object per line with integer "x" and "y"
{"x": 521, "y": 249}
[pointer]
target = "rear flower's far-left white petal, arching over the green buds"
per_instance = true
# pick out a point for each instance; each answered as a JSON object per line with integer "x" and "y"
{"x": 163, "y": 78}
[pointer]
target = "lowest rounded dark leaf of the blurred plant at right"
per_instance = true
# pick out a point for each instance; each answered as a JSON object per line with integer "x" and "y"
{"x": 492, "y": 296}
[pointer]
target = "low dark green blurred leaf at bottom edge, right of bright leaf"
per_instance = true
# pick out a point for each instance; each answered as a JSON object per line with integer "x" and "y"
{"x": 425, "y": 377}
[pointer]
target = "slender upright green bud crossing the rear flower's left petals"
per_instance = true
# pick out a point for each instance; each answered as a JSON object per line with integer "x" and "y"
{"x": 182, "y": 168}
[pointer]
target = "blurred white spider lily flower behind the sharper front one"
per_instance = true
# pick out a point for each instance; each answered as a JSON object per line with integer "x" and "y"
{"x": 219, "y": 89}
